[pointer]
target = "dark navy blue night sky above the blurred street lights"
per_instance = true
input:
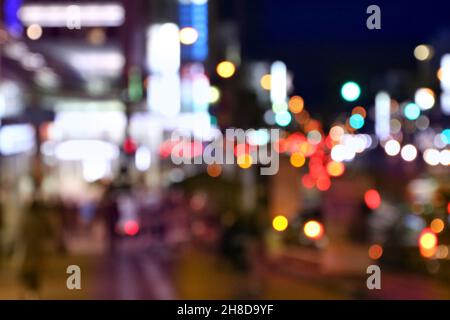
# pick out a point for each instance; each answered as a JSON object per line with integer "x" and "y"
{"x": 326, "y": 42}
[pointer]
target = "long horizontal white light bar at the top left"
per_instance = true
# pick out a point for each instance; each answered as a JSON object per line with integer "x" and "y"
{"x": 58, "y": 15}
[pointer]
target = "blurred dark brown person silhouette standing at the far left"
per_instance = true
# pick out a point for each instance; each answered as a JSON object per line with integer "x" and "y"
{"x": 35, "y": 231}
